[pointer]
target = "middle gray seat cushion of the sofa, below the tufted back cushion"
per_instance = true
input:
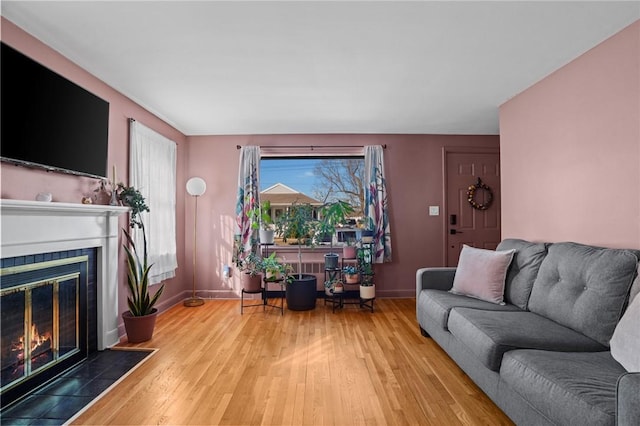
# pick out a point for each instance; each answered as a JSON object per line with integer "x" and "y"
{"x": 490, "y": 334}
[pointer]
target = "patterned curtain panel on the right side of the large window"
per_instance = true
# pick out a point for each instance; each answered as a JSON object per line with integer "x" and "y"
{"x": 376, "y": 207}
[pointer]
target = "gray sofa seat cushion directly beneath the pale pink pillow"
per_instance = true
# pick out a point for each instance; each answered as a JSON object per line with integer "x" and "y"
{"x": 438, "y": 303}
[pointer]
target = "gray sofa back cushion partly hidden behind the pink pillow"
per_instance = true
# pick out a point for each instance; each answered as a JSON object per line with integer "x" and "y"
{"x": 523, "y": 270}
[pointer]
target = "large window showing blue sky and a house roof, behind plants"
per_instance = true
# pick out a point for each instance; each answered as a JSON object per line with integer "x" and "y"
{"x": 285, "y": 181}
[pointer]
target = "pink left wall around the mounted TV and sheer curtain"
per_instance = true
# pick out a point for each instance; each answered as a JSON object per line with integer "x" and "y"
{"x": 23, "y": 184}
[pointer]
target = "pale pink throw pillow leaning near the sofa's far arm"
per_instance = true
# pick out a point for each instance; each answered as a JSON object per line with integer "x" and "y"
{"x": 482, "y": 273}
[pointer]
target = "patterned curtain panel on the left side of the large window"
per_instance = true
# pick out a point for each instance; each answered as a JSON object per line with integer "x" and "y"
{"x": 246, "y": 238}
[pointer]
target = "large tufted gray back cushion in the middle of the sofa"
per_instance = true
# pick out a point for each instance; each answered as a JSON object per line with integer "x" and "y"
{"x": 584, "y": 287}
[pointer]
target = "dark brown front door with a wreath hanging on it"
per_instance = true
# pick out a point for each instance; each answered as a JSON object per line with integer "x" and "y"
{"x": 466, "y": 224}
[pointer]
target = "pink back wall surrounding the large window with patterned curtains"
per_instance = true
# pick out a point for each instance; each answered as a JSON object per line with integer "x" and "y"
{"x": 414, "y": 176}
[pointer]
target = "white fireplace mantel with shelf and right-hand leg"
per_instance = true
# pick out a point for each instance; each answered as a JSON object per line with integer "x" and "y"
{"x": 33, "y": 227}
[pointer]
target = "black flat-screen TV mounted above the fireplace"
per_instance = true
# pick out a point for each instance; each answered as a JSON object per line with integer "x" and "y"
{"x": 49, "y": 122}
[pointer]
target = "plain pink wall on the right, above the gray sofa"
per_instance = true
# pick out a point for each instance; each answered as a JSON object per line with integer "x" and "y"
{"x": 570, "y": 150}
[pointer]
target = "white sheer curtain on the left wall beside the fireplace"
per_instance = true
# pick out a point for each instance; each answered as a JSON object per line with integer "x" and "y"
{"x": 152, "y": 171}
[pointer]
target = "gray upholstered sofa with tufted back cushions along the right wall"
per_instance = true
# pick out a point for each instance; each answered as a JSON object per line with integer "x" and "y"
{"x": 543, "y": 357}
